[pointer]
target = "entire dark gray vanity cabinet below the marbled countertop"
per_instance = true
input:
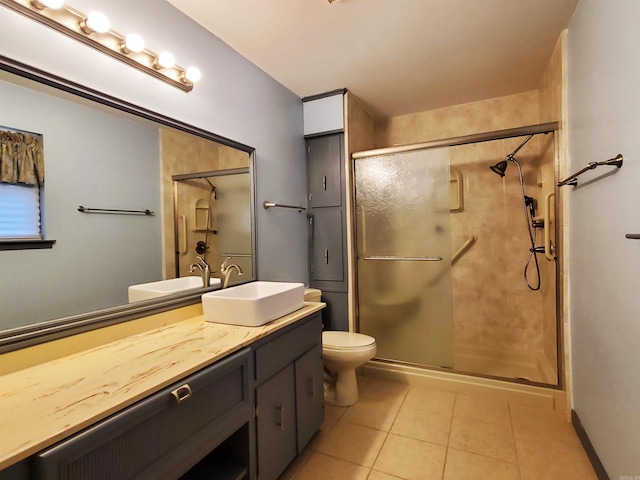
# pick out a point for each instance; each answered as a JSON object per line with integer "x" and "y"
{"x": 244, "y": 417}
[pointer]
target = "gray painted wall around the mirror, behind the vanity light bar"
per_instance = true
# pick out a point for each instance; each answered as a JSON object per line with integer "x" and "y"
{"x": 235, "y": 99}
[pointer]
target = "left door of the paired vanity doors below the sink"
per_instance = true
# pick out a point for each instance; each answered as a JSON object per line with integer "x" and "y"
{"x": 276, "y": 424}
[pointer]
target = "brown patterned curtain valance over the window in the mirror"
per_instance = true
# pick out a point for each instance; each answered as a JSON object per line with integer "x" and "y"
{"x": 21, "y": 158}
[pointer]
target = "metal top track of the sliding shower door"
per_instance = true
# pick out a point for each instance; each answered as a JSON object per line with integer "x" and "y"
{"x": 463, "y": 140}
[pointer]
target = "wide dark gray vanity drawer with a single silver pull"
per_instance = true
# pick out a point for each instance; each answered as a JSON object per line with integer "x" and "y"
{"x": 163, "y": 435}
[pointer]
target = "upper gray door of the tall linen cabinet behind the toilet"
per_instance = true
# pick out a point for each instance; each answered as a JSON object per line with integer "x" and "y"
{"x": 324, "y": 170}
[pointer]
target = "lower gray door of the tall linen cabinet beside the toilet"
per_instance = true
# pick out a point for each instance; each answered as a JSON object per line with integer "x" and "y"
{"x": 327, "y": 261}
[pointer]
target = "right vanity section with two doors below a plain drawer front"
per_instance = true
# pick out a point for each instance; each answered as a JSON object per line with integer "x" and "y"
{"x": 289, "y": 394}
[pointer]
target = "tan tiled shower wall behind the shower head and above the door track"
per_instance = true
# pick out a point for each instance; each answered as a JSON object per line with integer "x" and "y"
{"x": 493, "y": 308}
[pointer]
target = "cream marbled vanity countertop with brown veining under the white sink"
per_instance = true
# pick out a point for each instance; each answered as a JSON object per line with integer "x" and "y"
{"x": 42, "y": 404}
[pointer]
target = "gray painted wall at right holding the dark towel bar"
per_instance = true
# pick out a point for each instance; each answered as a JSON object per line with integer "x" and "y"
{"x": 604, "y": 120}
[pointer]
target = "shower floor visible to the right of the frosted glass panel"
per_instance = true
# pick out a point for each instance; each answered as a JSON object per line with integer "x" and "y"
{"x": 498, "y": 363}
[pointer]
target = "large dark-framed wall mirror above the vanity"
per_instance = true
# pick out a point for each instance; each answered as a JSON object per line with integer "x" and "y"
{"x": 100, "y": 153}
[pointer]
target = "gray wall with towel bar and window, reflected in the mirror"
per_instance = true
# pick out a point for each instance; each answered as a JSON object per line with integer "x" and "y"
{"x": 95, "y": 159}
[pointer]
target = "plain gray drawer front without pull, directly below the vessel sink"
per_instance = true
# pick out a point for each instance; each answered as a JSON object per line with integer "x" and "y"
{"x": 287, "y": 347}
